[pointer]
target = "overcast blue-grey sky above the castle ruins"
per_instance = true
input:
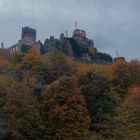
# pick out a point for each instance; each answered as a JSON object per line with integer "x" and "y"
{"x": 112, "y": 24}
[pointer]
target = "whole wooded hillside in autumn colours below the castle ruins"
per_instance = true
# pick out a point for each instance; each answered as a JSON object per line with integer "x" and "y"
{"x": 54, "y": 97}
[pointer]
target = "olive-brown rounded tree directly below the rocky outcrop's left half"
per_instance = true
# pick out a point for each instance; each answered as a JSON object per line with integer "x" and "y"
{"x": 57, "y": 65}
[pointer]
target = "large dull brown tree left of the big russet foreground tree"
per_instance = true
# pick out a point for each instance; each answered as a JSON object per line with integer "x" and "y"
{"x": 25, "y": 120}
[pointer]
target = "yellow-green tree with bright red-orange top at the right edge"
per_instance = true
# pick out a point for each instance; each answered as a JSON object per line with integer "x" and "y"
{"x": 127, "y": 122}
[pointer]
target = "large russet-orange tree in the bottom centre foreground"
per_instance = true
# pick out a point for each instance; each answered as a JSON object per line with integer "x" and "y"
{"x": 66, "y": 114}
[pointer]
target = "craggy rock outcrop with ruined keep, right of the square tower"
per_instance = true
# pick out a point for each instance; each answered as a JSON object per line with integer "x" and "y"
{"x": 78, "y": 47}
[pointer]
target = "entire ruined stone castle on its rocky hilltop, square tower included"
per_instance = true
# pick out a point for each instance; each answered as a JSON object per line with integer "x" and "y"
{"x": 78, "y": 47}
